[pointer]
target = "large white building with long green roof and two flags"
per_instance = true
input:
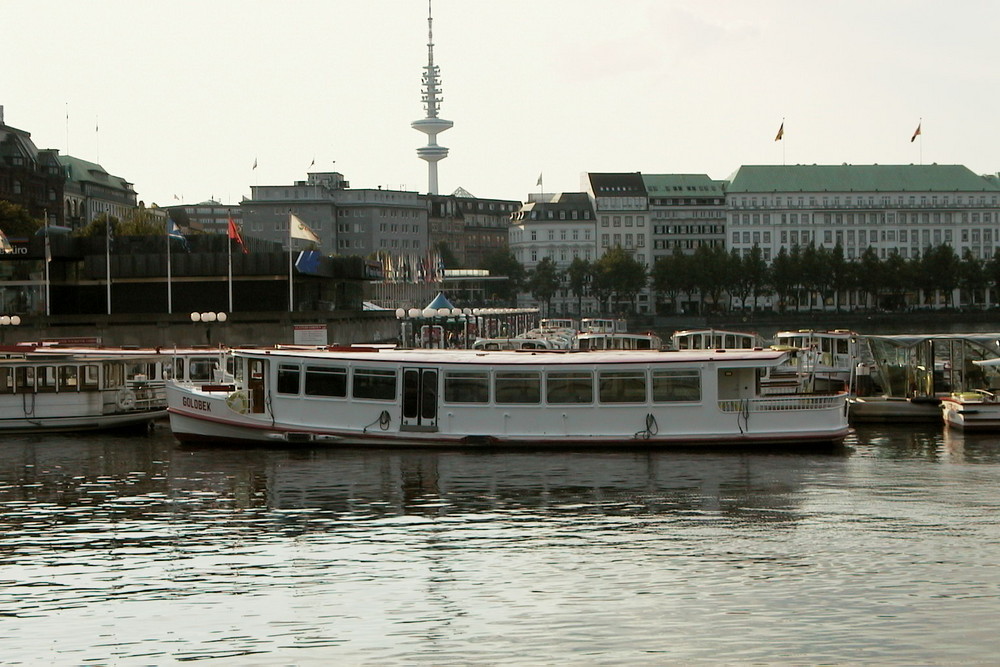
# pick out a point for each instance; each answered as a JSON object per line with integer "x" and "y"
{"x": 900, "y": 209}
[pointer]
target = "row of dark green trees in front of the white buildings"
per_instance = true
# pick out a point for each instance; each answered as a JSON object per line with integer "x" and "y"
{"x": 800, "y": 277}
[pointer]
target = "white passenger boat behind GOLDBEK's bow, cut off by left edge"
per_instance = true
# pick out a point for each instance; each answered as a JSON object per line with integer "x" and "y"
{"x": 59, "y": 391}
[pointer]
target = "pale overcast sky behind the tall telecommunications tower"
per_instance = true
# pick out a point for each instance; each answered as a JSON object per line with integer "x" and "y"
{"x": 181, "y": 97}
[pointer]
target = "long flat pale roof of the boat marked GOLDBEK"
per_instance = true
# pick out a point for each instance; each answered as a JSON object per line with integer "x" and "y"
{"x": 765, "y": 357}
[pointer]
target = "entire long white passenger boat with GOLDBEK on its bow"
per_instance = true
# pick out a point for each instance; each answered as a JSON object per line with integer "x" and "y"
{"x": 383, "y": 396}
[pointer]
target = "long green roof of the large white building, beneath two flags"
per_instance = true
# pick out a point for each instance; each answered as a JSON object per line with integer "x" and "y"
{"x": 859, "y": 178}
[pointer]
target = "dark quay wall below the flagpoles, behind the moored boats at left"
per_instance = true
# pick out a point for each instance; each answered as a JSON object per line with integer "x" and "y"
{"x": 160, "y": 330}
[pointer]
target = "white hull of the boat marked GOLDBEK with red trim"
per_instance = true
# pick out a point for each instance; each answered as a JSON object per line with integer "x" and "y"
{"x": 198, "y": 416}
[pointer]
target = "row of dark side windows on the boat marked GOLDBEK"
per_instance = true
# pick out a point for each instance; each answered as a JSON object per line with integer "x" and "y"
{"x": 502, "y": 387}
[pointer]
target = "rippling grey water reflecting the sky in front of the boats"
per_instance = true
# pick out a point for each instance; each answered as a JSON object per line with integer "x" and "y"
{"x": 133, "y": 550}
